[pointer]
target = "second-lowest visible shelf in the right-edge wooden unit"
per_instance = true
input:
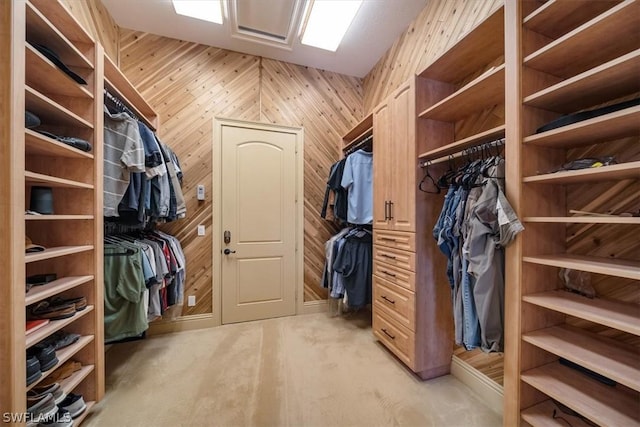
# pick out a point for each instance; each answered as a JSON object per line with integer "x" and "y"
{"x": 600, "y": 403}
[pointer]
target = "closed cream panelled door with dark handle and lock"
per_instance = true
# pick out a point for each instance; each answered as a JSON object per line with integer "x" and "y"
{"x": 259, "y": 221}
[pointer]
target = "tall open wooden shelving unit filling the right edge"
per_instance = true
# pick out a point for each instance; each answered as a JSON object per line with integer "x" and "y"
{"x": 572, "y": 56}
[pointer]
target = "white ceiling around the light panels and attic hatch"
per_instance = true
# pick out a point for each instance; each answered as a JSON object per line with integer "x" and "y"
{"x": 376, "y": 26}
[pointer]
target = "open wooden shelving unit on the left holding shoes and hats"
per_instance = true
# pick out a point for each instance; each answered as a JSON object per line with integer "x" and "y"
{"x": 72, "y": 234}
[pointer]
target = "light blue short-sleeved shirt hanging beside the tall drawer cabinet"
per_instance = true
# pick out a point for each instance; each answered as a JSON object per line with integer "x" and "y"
{"x": 358, "y": 179}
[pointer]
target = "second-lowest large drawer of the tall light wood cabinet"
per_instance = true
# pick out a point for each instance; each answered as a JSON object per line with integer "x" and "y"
{"x": 398, "y": 304}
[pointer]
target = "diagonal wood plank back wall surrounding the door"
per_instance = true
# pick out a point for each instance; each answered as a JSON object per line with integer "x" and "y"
{"x": 189, "y": 84}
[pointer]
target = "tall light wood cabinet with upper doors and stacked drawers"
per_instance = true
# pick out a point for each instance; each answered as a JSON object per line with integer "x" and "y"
{"x": 410, "y": 312}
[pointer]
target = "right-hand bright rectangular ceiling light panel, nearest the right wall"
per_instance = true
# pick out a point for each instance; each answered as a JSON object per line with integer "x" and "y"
{"x": 328, "y": 21}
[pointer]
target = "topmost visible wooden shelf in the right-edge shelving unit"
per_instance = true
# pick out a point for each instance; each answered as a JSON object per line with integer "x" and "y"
{"x": 557, "y": 17}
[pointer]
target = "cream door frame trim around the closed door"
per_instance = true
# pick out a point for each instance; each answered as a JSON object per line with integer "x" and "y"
{"x": 216, "y": 199}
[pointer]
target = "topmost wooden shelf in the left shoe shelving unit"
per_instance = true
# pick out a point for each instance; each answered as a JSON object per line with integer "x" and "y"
{"x": 41, "y": 31}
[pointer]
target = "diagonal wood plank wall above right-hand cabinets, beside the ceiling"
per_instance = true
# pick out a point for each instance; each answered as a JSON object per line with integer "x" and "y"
{"x": 438, "y": 27}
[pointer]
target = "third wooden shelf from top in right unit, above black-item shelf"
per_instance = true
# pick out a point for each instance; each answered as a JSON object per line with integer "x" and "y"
{"x": 608, "y": 81}
